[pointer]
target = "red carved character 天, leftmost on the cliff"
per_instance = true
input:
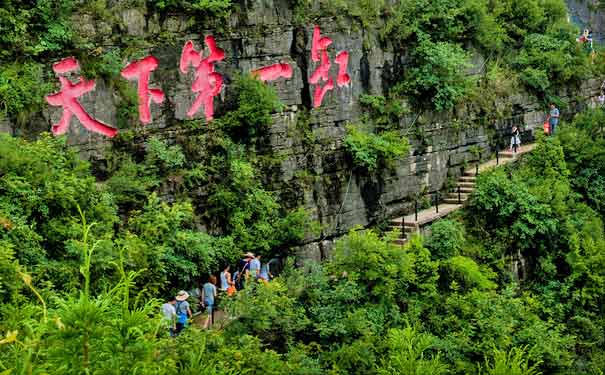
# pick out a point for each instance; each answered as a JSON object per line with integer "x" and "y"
{"x": 67, "y": 98}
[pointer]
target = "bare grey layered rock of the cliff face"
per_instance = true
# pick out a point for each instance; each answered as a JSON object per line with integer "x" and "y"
{"x": 315, "y": 171}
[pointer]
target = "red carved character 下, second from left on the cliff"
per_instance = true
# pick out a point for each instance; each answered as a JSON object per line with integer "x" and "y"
{"x": 141, "y": 70}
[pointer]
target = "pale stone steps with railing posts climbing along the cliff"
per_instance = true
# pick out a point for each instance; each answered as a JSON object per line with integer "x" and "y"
{"x": 407, "y": 225}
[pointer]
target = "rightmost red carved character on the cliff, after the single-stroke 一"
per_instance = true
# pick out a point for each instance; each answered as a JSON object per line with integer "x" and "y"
{"x": 319, "y": 53}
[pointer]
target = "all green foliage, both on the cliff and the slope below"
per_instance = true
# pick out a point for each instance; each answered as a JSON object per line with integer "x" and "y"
{"x": 513, "y": 285}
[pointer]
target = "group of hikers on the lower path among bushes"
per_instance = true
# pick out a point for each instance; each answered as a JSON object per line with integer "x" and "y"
{"x": 177, "y": 312}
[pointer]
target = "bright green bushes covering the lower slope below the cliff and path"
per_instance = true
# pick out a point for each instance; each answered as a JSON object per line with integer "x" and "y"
{"x": 513, "y": 285}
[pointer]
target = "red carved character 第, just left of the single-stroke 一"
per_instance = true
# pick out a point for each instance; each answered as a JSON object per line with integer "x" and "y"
{"x": 207, "y": 82}
